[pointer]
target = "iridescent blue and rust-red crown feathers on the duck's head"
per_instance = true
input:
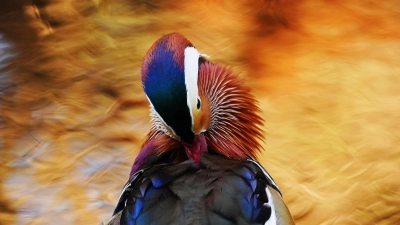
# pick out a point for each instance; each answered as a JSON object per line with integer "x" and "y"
{"x": 163, "y": 77}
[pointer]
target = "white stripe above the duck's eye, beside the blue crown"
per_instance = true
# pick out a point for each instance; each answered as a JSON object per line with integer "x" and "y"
{"x": 191, "y": 65}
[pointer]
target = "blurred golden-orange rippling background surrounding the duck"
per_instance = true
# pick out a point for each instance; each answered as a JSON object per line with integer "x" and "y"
{"x": 73, "y": 114}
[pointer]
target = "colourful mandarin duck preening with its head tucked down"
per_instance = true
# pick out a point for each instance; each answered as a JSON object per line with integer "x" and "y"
{"x": 197, "y": 164}
